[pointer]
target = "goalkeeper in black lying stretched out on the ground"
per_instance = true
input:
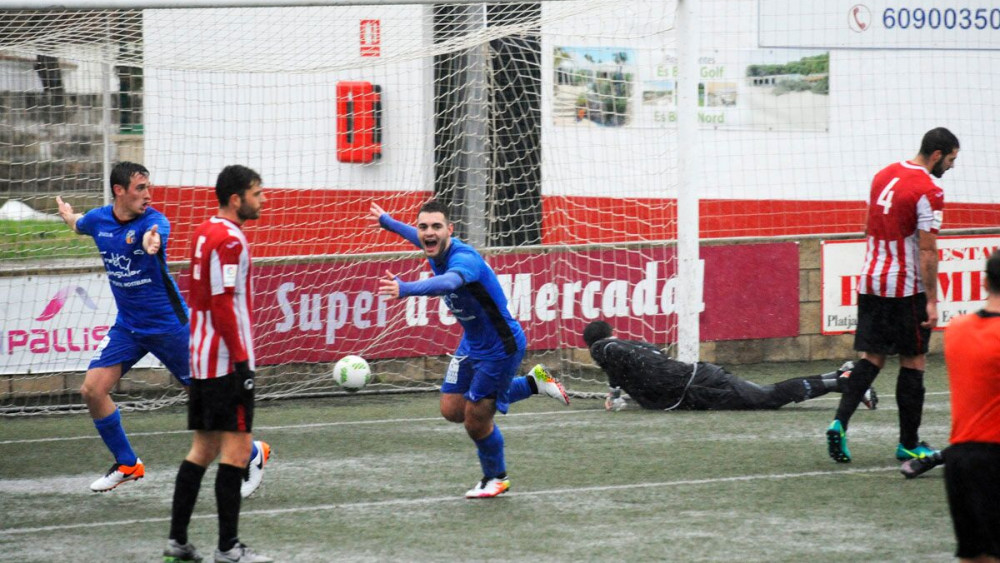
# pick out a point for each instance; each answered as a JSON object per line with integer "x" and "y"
{"x": 658, "y": 382}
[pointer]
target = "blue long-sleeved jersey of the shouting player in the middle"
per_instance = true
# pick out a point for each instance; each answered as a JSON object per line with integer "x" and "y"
{"x": 479, "y": 303}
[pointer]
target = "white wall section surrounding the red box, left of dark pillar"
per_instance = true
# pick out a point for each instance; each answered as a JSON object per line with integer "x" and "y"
{"x": 281, "y": 120}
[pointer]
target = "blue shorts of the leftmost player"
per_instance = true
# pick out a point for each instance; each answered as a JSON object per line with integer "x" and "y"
{"x": 121, "y": 346}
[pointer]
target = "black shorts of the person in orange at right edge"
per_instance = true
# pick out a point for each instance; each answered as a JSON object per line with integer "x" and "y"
{"x": 972, "y": 481}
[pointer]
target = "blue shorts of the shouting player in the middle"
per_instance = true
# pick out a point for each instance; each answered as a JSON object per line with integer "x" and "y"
{"x": 482, "y": 379}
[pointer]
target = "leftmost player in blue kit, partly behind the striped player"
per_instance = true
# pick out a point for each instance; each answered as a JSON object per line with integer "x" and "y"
{"x": 152, "y": 316}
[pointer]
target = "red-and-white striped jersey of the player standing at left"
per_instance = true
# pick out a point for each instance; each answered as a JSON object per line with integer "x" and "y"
{"x": 220, "y": 299}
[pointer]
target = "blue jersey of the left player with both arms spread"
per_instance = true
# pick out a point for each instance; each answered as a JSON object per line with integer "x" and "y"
{"x": 147, "y": 297}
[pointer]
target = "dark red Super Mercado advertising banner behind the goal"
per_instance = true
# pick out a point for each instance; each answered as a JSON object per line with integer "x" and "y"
{"x": 317, "y": 312}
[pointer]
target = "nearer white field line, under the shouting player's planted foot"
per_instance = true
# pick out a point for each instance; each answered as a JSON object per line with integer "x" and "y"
{"x": 436, "y": 500}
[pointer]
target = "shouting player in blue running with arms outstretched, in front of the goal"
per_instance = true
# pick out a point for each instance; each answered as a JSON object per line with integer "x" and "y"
{"x": 480, "y": 378}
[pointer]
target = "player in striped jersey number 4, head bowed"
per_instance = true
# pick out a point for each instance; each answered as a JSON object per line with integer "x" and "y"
{"x": 897, "y": 293}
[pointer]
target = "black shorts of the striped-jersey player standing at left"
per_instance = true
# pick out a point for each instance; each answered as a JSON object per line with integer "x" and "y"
{"x": 222, "y": 403}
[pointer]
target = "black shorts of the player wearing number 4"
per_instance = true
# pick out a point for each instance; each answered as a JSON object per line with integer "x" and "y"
{"x": 891, "y": 325}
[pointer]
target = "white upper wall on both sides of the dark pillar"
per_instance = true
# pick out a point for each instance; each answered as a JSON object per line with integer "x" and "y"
{"x": 880, "y": 103}
